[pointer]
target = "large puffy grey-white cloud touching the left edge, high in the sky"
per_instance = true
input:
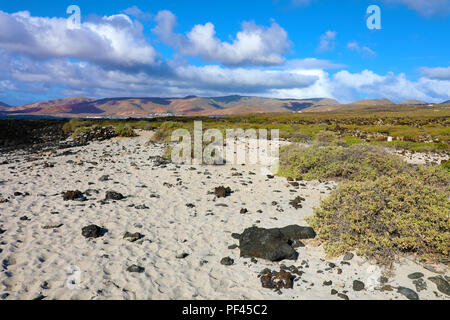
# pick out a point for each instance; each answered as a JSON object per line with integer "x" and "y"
{"x": 105, "y": 40}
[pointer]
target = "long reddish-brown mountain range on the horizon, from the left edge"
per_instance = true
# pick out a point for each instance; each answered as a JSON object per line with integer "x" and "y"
{"x": 145, "y": 107}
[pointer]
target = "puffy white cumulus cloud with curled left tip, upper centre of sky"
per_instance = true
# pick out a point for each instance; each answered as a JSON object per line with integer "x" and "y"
{"x": 253, "y": 45}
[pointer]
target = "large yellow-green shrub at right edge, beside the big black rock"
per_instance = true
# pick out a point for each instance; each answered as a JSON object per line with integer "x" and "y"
{"x": 381, "y": 218}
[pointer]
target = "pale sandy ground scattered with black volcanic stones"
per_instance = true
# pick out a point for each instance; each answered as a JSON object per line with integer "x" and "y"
{"x": 42, "y": 263}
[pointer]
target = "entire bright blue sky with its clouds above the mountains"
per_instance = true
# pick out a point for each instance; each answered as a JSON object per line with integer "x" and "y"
{"x": 276, "y": 48}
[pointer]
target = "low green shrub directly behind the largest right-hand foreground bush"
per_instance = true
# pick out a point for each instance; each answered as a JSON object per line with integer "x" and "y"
{"x": 357, "y": 162}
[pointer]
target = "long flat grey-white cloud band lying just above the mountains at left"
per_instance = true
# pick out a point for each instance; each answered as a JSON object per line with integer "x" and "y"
{"x": 76, "y": 78}
